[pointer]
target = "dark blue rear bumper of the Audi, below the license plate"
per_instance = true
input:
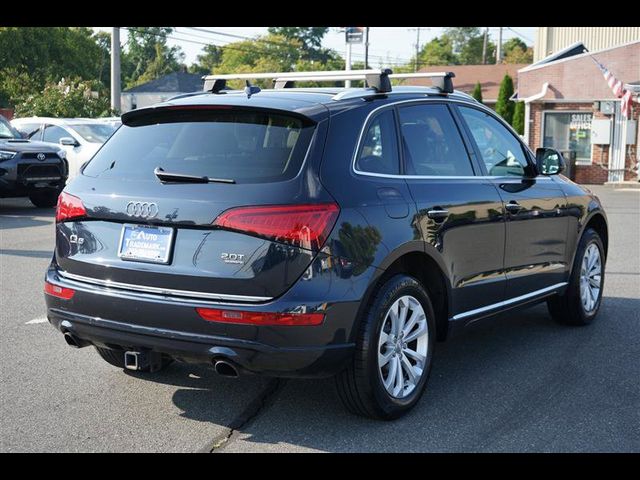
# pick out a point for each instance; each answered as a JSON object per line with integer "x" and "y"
{"x": 108, "y": 318}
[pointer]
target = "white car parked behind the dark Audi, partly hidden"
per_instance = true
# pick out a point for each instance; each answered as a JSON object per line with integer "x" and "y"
{"x": 80, "y": 138}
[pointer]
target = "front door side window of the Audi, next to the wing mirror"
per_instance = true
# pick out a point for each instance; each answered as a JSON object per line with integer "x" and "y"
{"x": 501, "y": 152}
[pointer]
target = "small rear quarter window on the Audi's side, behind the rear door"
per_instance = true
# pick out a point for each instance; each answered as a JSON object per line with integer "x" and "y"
{"x": 379, "y": 152}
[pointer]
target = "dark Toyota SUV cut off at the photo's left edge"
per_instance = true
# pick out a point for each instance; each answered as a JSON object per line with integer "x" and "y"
{"x": 30, "y": 169}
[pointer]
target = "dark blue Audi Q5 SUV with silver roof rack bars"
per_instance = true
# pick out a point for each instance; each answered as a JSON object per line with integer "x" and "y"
{"x": 315, "y": 232}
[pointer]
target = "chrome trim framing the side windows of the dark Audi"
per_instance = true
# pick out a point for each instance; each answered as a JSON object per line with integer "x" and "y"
{"x": 423, "y": 177}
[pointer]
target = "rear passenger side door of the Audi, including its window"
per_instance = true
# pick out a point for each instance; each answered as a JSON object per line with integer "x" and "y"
{"x": 459, "y": 212}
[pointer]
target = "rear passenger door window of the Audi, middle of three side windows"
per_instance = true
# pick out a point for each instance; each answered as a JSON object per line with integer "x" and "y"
{"x": 432, "y": 143}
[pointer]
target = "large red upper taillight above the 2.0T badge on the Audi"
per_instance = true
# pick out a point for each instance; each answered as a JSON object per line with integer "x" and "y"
{"x": 307, "y": 226}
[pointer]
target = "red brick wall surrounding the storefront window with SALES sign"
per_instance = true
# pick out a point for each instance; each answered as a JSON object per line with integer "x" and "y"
{"x": 597, "y": 172}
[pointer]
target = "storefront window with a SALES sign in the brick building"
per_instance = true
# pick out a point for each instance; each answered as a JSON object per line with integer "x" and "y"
{"x": 569, "y": 132}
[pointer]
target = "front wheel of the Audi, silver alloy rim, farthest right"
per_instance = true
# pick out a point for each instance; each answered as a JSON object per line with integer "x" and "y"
{"x": 581, "y": 301}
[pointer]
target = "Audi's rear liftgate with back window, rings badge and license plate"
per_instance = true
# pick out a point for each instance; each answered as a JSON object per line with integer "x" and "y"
{"x": 253, "y": 159}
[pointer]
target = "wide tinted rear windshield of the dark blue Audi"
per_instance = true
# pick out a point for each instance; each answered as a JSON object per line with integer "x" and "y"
{"x": 248, "y": 147}
